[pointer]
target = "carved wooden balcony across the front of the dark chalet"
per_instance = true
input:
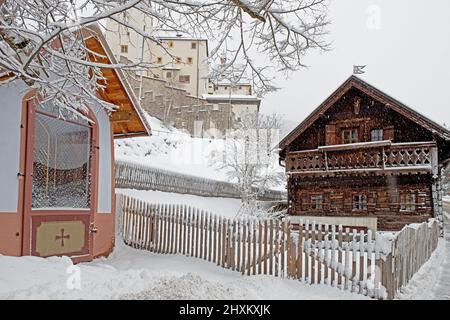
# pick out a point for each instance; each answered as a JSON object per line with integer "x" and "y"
{"x": 381, "y": 157}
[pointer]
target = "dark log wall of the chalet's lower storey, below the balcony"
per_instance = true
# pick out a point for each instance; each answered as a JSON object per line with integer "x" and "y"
{"x": 383, "y": 198}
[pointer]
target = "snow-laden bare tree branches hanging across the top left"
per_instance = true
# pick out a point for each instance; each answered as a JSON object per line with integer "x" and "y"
{"x": 41, "y": 41}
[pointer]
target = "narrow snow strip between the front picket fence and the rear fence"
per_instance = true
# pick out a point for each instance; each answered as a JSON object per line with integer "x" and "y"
{"x": 225, "y": 207}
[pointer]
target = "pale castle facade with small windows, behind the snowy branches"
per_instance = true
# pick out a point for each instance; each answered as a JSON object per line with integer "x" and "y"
{"x": 180, "y": 60}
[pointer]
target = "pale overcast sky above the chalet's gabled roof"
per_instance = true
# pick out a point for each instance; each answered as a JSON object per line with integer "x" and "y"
{"x": 407, "y": 56}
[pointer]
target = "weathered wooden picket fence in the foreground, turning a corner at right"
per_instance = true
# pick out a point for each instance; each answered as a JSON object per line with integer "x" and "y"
{"x": 310, "y": 252}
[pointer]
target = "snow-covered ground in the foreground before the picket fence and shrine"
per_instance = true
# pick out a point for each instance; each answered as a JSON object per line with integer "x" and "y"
{"x": 134, "y": 274}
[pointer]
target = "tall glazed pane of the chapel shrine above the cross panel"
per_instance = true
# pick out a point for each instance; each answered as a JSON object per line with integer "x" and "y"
{"x": 61, "y": 164}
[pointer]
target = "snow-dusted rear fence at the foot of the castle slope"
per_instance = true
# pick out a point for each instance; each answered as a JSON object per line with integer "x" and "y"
{"x": 141, "y": 177}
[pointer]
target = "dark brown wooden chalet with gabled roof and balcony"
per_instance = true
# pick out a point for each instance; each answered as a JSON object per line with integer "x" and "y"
{"x": 363, "y": 158}
